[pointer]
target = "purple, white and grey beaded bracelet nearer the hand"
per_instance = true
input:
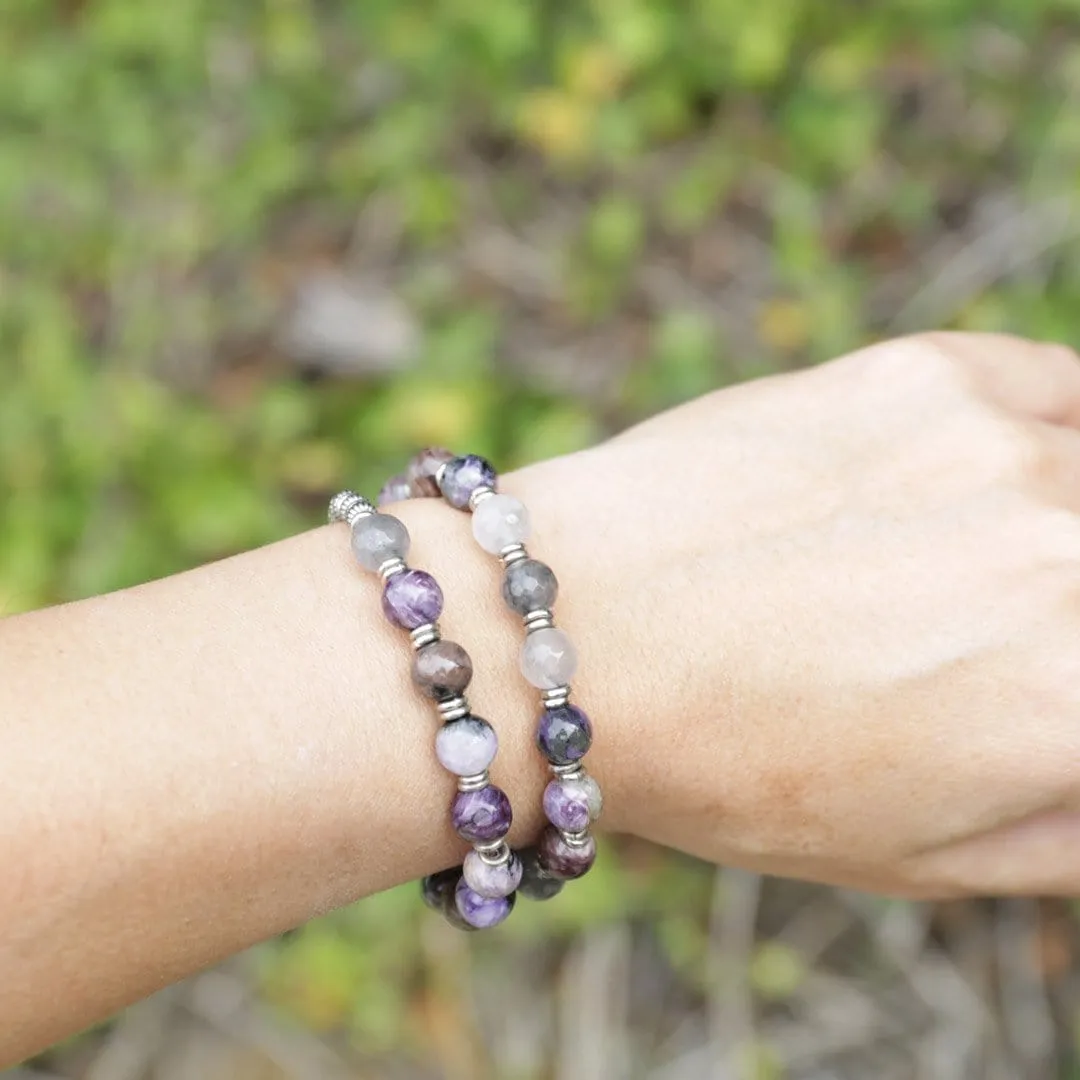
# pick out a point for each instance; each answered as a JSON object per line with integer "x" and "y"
{"x": 549, "y": 660}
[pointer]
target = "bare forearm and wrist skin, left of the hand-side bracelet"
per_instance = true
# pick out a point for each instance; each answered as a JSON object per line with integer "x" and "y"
{"x": 200, "y": 763}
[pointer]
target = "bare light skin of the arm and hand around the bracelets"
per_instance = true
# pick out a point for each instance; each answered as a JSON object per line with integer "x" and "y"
{"x": 829, "y": 627}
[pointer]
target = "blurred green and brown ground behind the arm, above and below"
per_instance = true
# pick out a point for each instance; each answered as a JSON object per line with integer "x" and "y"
{"x": 252, "y": 251}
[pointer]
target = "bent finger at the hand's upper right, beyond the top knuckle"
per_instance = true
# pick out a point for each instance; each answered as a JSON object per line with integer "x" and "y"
{"x": 1041, "y": 381}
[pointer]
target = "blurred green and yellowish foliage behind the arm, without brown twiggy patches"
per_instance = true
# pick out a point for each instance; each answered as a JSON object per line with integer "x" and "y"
{"x": 153, "y": 156}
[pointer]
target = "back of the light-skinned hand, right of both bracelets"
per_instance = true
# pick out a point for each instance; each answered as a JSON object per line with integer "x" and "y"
{"x": 831, "y": 622}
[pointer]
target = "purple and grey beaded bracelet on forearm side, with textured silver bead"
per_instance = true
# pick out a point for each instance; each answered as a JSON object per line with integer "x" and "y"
{"x": 482, "y": 893}
